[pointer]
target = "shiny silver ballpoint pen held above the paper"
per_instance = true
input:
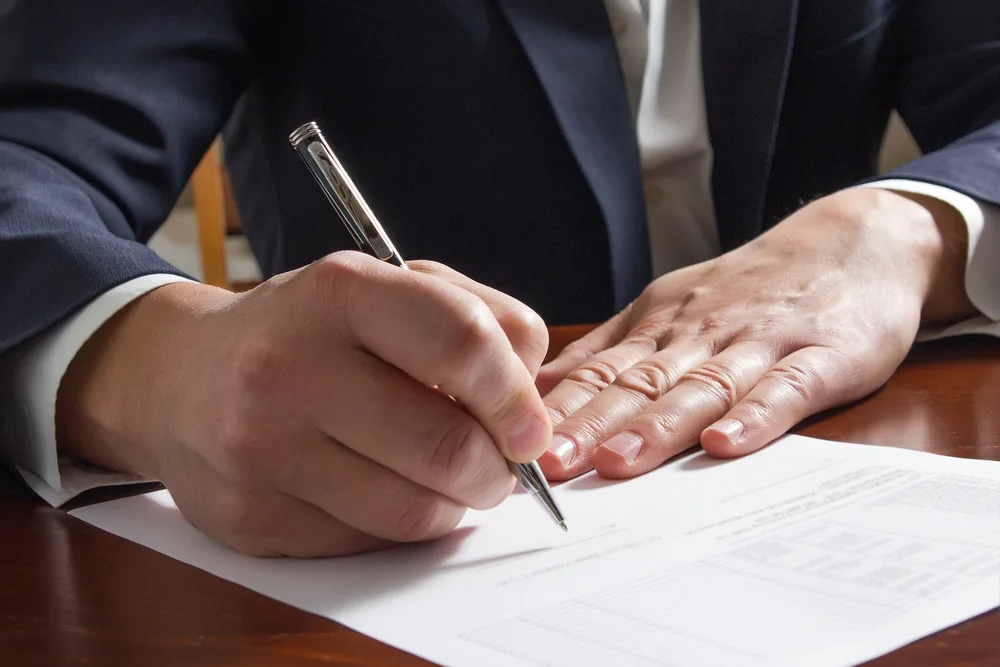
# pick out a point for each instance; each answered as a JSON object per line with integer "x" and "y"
{"x": 309, "y": 142}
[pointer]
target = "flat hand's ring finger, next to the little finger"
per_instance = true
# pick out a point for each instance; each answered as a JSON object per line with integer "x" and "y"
{"x": 674, "y": 423}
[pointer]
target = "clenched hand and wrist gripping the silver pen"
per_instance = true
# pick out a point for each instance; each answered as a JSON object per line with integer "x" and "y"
{"x": 335, "y": 409}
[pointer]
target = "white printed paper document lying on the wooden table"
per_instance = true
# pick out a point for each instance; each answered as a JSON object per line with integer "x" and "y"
{"x": 805, "y": 553}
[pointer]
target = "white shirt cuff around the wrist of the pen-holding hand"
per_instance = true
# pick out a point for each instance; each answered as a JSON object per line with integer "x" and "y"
{"x": 29, "y": 381}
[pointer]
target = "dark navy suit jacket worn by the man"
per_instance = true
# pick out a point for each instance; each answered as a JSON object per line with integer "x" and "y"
{"x": 492, "y": 135}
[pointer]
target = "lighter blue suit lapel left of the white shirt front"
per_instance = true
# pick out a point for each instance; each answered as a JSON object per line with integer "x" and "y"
{"x": 570, "y": 45}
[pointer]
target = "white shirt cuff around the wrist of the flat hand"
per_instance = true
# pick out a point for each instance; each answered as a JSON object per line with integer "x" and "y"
{"x": 982, "y": 271}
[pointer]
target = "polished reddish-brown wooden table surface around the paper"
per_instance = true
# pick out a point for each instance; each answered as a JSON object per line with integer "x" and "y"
{"x": 71, "y": 594}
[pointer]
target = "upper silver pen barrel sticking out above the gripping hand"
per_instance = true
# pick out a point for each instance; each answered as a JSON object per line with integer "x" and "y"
{"x": 312, "y": 147}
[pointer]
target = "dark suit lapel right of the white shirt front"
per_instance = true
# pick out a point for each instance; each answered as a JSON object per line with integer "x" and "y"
{"x": 746, "y": 52}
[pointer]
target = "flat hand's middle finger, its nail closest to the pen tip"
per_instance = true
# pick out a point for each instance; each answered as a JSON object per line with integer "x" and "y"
{"x": 634, "y": 390}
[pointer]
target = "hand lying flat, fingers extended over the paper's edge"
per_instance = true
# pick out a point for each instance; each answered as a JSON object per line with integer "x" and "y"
{"x": 731, "y": 353}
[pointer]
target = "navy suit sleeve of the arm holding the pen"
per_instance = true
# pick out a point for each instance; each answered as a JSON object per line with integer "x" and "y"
{"x": 105, "y": 109}
